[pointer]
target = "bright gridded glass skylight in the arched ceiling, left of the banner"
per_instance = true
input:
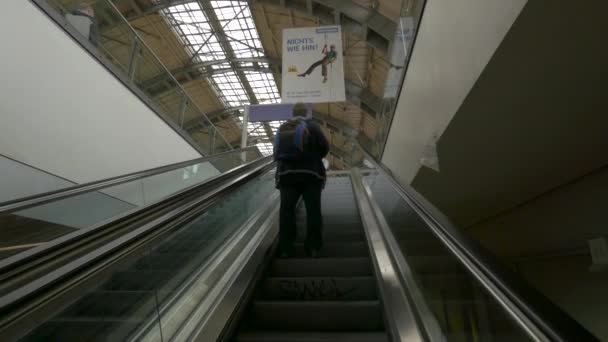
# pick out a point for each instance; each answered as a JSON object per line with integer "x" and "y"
{"x": 242, "y": 41}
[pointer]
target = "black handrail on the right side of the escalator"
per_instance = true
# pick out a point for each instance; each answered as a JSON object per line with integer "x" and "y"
{"x": 506, "y": 286}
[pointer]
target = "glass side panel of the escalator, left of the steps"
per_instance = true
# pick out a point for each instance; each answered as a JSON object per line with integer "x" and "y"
{"x": 124, "y": 302}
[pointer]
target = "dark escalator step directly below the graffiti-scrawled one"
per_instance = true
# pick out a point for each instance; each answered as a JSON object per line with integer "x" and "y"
{"x": 316, "y": 316}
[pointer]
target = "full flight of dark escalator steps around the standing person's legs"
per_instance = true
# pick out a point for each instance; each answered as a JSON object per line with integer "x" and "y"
{"x": 331, "y": 298}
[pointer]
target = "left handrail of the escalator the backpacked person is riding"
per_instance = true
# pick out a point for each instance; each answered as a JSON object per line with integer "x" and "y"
{"x": 10, "y": 300}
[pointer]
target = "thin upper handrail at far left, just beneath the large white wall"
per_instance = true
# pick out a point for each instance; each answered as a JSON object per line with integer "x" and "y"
{"x": 55, "y": 195}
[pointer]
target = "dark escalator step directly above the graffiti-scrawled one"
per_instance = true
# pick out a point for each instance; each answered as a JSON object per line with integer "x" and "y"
{"x": 321, "y": 267}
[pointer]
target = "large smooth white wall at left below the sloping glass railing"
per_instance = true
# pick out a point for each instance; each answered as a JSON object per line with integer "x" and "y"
{"x": 63, "y": 112}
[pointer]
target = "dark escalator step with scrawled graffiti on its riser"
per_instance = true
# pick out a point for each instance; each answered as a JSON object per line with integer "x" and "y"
{"x": 319, "y": 288}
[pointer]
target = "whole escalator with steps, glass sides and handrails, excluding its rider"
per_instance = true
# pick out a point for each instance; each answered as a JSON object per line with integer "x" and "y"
{"x": 202, "y": 265}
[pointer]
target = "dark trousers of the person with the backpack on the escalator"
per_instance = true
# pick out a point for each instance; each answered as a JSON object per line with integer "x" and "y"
{"x": 290, "y": 194}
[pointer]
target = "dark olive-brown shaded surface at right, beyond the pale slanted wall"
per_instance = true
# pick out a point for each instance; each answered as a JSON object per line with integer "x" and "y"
{"x": 534, "y": 120}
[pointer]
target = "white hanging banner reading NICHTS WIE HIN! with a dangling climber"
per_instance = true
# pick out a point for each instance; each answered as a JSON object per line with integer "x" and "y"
{"x": 313, "y": 65}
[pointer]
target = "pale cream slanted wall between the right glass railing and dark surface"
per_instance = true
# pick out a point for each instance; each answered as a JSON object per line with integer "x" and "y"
{"x": 456, "y": 40}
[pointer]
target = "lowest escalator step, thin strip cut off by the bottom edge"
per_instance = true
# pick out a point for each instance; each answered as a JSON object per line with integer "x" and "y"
{"x": 272, "y": 336}
